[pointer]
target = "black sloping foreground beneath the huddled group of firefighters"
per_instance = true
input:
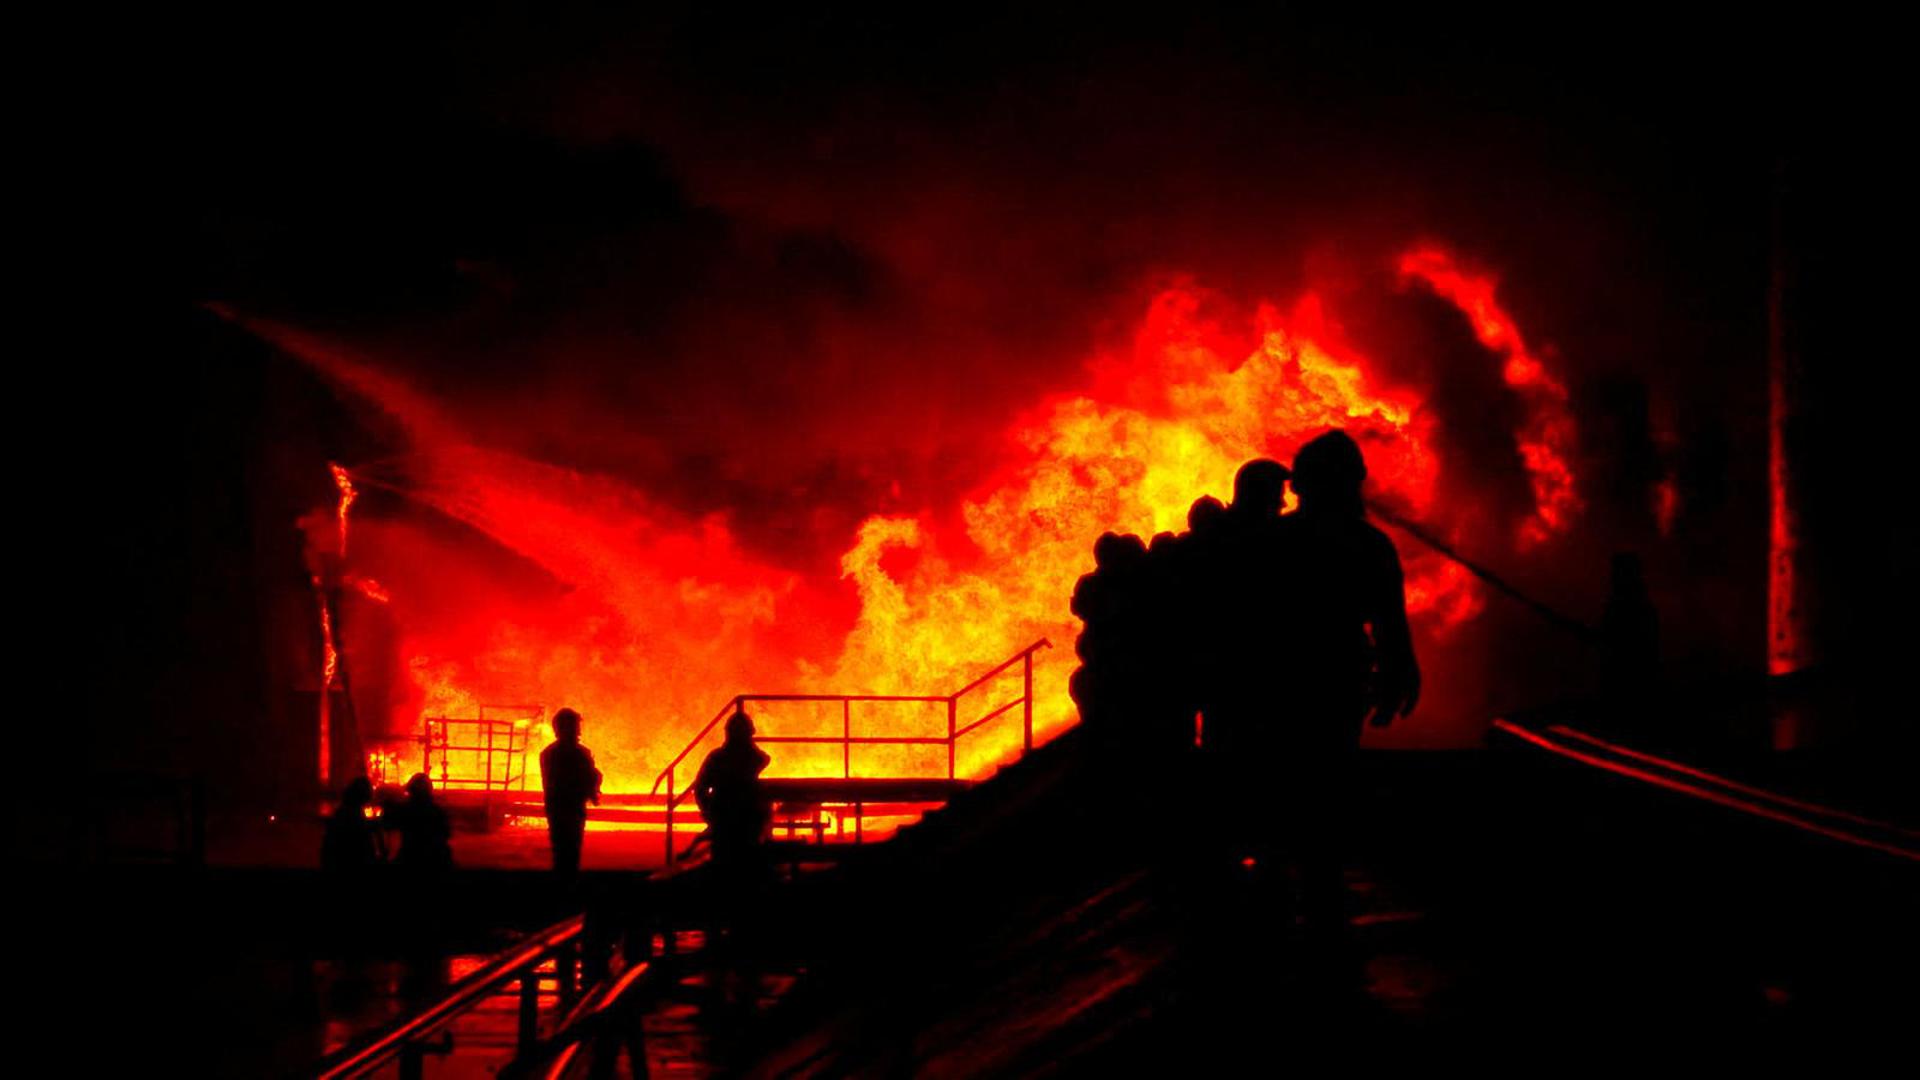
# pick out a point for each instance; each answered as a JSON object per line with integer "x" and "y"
{"x": 1504, "y": 906}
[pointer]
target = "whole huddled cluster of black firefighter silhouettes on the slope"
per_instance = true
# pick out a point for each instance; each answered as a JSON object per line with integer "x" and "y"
{"x": 1285, "y": 633}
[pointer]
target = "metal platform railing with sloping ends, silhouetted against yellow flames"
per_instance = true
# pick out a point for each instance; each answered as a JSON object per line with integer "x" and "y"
{"x": 848, "y": 741}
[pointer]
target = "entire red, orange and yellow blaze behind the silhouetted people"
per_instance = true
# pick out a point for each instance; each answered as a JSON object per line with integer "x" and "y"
{"x": 656, "y": 618}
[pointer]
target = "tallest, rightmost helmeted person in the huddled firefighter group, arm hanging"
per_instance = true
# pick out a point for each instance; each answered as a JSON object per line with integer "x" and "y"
{"x": 1349, "y": 658}
